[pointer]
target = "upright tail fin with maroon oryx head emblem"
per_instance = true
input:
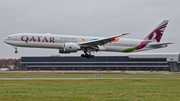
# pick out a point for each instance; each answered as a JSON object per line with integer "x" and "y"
{"x": 157, "y": 33}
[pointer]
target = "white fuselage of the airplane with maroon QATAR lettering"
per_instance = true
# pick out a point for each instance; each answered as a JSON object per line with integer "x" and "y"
{"x": 58, "y": 41}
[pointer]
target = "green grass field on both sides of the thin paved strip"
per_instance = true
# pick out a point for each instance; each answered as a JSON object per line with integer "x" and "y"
{"x": 91, "y": 90}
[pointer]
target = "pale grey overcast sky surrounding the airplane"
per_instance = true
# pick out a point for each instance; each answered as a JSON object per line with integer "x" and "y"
{"x": 87, "y": 17}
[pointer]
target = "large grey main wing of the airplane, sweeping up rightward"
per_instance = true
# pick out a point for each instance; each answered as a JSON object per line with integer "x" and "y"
{"x": 100, "y": 41}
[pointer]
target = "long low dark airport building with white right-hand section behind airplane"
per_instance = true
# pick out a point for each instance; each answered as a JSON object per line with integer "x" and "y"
{"x": 132, "y": 62}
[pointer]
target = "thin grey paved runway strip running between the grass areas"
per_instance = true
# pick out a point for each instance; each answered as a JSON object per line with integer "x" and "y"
{"x": 75, "y": 78}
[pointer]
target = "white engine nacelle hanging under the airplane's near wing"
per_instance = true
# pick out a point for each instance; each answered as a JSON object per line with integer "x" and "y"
{"x": 69, "y": 47}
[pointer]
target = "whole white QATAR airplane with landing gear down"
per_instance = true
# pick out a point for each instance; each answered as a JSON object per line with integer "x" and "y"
{"x": 89, "y": 44}
